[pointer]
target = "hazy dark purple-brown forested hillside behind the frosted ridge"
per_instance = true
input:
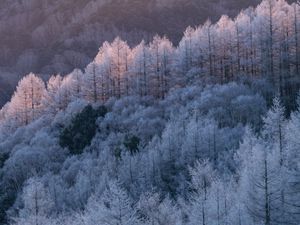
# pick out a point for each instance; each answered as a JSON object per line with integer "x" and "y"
{"x": 56, "y": 36}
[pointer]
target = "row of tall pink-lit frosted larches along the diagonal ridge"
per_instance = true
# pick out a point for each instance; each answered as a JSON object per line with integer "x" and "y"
{"x": 260, "y": 42}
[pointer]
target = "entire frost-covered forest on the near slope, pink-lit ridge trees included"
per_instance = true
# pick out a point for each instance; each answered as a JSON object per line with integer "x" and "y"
{"x": 205, "y": 131}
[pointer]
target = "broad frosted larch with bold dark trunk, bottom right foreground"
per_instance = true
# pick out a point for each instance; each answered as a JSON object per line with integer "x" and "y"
{"x": 260, "y": 185}
